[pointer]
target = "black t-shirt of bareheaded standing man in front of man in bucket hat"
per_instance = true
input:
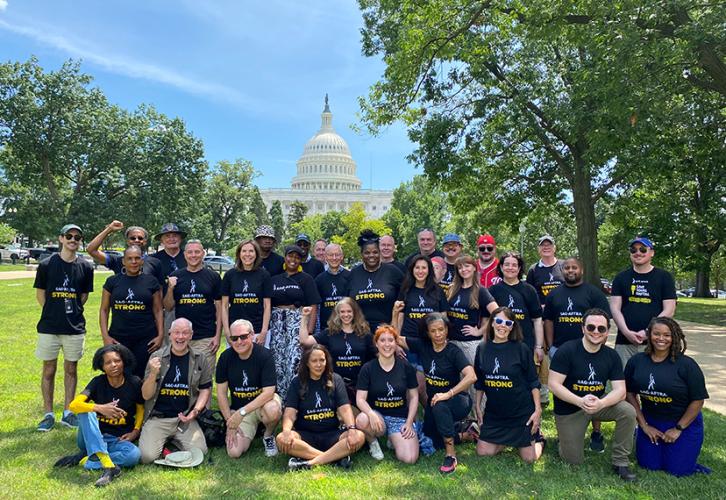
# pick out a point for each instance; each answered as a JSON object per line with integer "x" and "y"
{"x": 194, "y": 296}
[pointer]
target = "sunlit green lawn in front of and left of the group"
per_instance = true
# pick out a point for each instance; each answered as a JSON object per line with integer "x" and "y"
{"x": 26, "y": 456}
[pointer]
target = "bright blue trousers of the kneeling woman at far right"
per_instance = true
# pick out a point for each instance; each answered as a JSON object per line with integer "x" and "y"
{"x": 678, "y": 458}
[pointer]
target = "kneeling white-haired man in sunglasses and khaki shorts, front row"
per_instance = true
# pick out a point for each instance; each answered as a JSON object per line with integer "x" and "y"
{"x": 247, "y": 371}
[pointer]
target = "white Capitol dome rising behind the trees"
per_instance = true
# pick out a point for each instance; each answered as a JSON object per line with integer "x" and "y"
{"x": 326, "y": 163}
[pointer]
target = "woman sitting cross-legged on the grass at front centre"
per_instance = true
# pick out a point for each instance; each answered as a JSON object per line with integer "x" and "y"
{"x": 315, "y": 400}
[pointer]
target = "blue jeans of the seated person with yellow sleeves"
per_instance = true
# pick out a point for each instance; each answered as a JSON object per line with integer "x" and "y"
{"x": 91, "y": 441}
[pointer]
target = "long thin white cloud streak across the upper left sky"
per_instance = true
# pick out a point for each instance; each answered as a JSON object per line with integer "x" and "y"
{"x": 129, "y": 67}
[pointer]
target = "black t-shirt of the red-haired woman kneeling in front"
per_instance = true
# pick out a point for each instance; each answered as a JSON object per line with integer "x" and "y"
{"x": 387, "y": 390}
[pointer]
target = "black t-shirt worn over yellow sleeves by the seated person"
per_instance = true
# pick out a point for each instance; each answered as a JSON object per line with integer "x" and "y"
{"x": 128, "y": 395}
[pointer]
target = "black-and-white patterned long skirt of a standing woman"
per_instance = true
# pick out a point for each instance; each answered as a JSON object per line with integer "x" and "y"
{"x": 285, "y": 346}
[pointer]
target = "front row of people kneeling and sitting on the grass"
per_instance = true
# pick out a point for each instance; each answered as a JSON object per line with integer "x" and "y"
{"x": 331, "y": 410}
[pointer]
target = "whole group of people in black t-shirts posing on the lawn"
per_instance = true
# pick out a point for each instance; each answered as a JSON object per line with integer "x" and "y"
{"x": 339, "y": 357}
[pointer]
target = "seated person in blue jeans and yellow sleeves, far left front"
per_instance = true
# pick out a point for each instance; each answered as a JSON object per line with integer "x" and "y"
{"x": 110, "y": 413}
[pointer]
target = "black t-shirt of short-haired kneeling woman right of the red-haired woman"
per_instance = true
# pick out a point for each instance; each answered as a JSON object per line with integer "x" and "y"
{"x": 441, "y": 369}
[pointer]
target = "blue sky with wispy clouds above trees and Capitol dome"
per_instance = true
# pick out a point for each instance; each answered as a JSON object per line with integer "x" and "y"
{"x": 247, "y": 77}
